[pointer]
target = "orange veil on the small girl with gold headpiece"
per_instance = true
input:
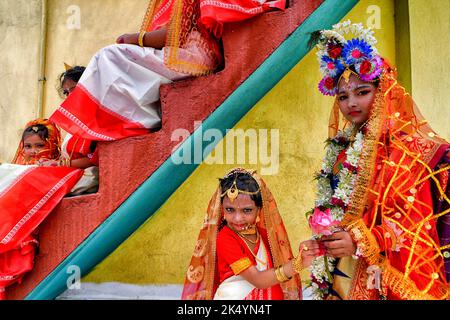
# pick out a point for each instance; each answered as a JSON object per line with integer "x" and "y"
{"x": 202, "y": 277}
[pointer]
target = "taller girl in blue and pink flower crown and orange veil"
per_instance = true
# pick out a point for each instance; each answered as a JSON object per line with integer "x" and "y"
{"x": 383, "y": 191}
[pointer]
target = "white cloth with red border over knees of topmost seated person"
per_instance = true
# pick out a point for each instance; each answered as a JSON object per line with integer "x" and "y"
{"x": 117, "y": 95}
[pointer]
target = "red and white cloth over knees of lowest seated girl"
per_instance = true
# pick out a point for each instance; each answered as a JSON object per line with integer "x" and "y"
{"x": 28, "y": 194}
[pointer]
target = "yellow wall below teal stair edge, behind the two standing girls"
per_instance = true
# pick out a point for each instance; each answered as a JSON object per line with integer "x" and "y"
{"x": 160, "y": 250}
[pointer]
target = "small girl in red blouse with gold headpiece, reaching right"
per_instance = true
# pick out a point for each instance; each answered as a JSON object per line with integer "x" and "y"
{"x": 243, "y": 251}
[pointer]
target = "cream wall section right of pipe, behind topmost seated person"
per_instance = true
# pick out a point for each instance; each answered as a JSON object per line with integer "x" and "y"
{"x": 101, "y": 22}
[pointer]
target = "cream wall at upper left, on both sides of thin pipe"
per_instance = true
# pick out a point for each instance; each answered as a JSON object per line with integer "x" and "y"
{"x": 100, "y": 23}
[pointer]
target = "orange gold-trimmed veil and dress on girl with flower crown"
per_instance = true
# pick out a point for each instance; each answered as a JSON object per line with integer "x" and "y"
{"x": 391, "y": 214}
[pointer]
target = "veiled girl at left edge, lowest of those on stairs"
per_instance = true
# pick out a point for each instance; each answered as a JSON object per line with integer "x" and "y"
{"x": 27, "y": 195}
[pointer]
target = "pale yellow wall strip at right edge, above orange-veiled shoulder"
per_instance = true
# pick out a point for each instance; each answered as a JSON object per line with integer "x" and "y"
{"x": 430, "y": 51}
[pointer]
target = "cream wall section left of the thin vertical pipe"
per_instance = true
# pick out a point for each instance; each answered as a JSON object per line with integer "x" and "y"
{"x": 19, "y": 47}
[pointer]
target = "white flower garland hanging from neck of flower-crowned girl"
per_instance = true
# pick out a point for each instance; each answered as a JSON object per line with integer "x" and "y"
{"x": 343, "y": 192}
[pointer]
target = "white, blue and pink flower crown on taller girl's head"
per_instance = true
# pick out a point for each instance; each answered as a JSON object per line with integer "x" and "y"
{"x": 336, "y": 55}
